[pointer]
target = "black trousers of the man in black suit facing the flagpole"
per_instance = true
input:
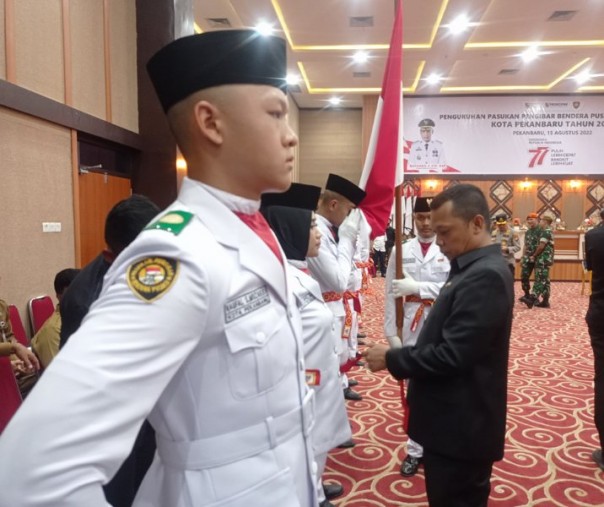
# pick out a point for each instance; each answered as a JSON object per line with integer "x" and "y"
{"x": 455, "y": 483}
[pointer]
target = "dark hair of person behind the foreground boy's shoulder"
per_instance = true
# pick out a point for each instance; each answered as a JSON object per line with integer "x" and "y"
{"x": 126, "y": 220}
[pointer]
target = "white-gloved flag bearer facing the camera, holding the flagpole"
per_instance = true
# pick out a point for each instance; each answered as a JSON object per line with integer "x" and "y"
{"x": 426, "y": 270}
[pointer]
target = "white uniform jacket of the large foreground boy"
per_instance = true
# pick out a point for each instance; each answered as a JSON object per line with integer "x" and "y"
{"x": 215, "y": 361}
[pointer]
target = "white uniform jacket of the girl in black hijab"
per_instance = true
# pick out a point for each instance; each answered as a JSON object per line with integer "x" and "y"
{"x": 322, "y": 367}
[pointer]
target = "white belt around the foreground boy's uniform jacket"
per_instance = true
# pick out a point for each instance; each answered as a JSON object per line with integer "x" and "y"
{"x": 237, "y": 445}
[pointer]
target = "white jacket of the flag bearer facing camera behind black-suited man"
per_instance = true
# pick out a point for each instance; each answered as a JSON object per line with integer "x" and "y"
{"x": 430, "y": 271}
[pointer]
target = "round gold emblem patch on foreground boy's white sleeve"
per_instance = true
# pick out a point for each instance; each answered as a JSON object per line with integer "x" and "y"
{"x": 152, "y": 277}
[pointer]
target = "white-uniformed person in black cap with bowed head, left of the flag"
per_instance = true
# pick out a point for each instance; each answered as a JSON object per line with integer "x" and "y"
{"x": 339, "y": 223}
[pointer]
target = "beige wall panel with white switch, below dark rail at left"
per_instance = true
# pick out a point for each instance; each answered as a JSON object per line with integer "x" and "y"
{"x": 36, "y": 188}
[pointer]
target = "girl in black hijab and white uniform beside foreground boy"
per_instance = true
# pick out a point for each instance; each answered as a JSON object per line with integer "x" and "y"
{"x": 291, "y": 217}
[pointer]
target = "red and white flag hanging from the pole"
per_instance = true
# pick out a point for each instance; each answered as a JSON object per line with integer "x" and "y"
{"x": 383, "y": 169}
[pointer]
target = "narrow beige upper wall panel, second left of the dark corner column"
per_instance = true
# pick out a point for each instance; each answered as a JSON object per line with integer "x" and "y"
{"x": 87, "y": 55}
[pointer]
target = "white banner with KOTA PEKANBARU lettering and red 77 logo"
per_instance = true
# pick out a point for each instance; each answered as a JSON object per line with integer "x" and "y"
{"x": 520, "y": 135}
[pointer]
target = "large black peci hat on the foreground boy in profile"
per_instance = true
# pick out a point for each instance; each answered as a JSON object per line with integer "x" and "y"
{"x": 210, "y": 59}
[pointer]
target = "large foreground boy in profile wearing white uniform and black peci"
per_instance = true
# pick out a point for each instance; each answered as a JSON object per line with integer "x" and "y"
{"x": 196, "y": 327}
